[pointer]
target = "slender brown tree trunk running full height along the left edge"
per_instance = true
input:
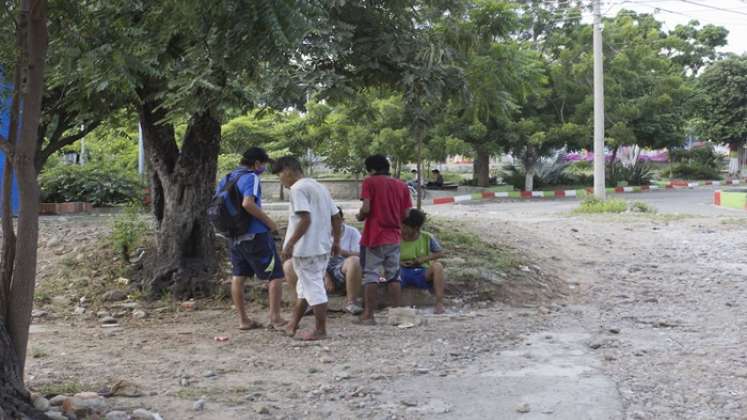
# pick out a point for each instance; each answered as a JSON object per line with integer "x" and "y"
{"x": 16, "y": 301}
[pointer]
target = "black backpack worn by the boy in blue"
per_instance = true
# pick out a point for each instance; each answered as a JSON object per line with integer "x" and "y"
{"x": 225, "y": 212}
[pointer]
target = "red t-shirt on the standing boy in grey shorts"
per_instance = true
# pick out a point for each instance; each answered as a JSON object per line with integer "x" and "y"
{"x": 389, "y": 198}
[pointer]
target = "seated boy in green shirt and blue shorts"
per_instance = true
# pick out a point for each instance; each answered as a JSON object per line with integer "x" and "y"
{"x": 419, "y": 252}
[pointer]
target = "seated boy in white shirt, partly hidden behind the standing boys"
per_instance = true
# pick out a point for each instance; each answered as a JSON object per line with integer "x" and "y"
{"x": 343, "y": 271}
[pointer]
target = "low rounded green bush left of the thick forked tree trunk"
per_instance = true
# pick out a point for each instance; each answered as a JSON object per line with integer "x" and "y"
{"x": 96, "y": 183}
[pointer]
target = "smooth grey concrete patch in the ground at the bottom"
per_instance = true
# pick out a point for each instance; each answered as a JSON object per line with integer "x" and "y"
{"x": 555, "y": 375}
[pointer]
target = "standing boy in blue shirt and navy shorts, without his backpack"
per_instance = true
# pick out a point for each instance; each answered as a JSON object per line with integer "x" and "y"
{"x": 254, "y": 253}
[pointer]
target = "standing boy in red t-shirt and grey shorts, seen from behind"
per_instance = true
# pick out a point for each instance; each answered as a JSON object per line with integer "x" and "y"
{"x": 385, "y": 204}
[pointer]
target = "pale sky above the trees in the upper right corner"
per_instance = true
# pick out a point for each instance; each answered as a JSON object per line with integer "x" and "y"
{"x": 732, "y": 16}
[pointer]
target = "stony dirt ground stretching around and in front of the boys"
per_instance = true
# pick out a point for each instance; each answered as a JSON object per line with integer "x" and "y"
{"x": 649, "y": 325}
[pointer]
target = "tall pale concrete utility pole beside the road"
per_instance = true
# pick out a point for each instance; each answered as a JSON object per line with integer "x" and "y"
{"x": 599, "y": 187}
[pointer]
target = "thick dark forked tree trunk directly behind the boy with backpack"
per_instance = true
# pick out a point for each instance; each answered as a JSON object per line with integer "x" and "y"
{"x": 184, "y": 181}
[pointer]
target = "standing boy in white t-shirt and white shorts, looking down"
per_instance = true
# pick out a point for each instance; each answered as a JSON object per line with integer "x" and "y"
{"x": 314, "y": 228}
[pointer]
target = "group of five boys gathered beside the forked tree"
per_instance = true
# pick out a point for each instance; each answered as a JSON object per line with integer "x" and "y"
{"x": 321, "y": 254}
